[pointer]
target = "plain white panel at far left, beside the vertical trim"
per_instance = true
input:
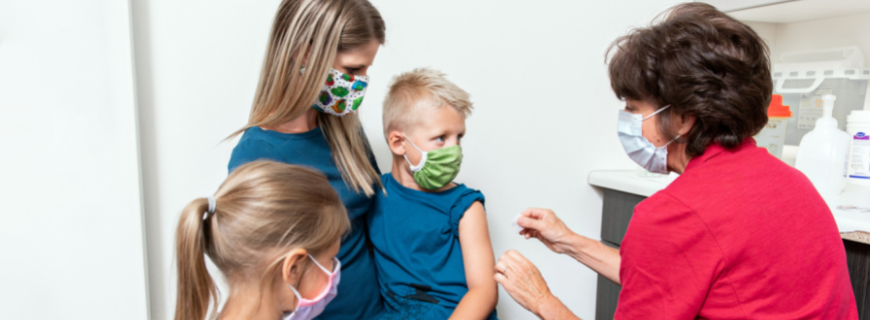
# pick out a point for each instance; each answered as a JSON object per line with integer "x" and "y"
{"x": 71, "y": 236}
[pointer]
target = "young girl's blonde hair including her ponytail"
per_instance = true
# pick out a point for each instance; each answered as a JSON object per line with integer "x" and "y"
{"x": 262, "y": 208}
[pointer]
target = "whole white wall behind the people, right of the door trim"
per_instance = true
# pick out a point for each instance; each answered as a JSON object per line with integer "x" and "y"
{"x": 545, "y": 116}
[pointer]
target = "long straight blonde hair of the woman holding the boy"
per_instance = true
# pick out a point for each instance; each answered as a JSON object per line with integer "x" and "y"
{"x": 318, "y": 29}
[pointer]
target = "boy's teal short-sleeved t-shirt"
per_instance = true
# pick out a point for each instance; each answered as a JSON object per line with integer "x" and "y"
{"x": 417, "y": 253}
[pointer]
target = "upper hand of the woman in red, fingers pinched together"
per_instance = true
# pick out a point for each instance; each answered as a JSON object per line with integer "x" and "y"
{"x": 546, "y": 227}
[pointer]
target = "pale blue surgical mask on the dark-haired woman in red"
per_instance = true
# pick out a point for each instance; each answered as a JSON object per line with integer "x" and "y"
{"x": 653, "y": 159}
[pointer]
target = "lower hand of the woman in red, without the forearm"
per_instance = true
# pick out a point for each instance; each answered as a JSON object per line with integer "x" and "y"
{"x": 522, "y": 280}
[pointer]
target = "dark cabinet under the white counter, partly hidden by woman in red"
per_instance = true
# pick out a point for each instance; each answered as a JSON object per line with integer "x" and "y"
{"x": 618, "y": 207}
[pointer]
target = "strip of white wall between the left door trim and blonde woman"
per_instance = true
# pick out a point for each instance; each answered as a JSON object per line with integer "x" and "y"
{"x": 197, "y": 67}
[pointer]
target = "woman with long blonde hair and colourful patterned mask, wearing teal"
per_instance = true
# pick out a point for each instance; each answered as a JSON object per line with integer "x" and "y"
{"x": 313, "y": 79}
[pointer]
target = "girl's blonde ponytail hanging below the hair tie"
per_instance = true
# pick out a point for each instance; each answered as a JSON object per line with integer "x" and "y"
{"x": 196, "y": 289}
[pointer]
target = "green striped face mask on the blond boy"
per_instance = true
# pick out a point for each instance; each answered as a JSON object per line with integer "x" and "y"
{"x": 437, "y": 168}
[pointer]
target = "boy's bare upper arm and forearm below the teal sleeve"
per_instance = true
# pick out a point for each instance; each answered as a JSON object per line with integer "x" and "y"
{"x": 474, "y": 240}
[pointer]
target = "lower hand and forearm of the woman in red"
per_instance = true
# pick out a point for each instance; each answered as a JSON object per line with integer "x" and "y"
{"x": 522, "y": 280}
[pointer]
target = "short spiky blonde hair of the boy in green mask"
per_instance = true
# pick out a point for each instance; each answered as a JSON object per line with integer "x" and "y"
{"x": 421, "y": 89}
